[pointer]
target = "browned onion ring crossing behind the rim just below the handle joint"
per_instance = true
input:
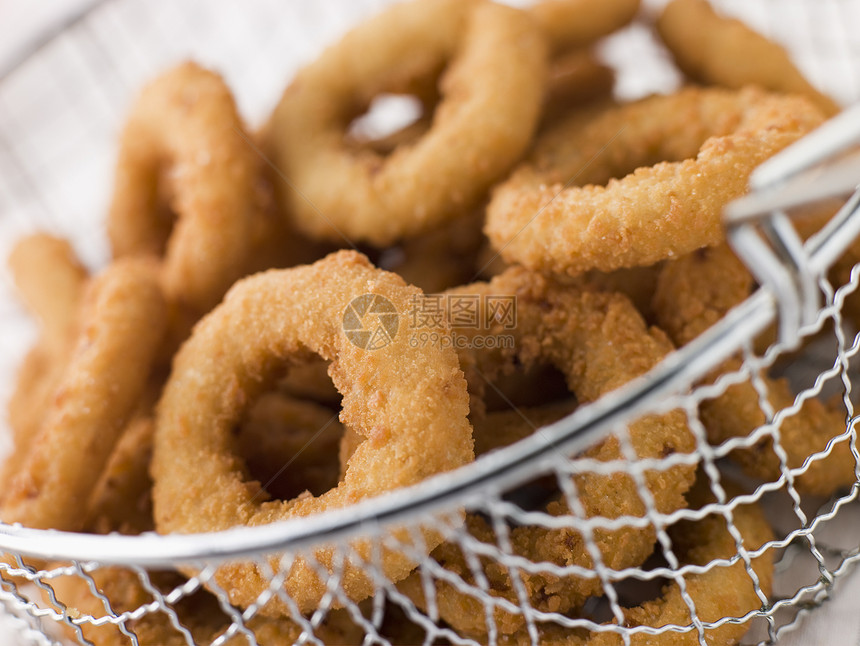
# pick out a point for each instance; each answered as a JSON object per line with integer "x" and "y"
{"x": 693, "y": 293}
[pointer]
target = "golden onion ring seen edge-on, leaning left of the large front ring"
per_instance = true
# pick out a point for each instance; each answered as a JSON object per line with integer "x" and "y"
{"x": 123, "y": 321}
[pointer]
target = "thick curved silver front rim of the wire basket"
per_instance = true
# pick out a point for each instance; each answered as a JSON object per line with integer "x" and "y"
{"x": 465, "y": 486}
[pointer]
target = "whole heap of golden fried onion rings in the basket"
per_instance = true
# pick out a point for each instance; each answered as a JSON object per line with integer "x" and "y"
{"x": 298, "y": 319}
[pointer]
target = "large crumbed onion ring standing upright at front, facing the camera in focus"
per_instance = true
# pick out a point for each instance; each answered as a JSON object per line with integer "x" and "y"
{"x": 293, "y": 312}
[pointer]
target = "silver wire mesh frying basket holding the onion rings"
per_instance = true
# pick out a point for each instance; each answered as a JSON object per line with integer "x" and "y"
{"x": 709, "y": 579}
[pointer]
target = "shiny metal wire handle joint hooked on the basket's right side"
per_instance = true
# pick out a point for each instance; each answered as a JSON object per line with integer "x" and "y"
{"x": 822, "y": 165}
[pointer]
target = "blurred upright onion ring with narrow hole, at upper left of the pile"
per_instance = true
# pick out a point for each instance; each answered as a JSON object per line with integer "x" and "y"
{"x": 184, "y": 145}
